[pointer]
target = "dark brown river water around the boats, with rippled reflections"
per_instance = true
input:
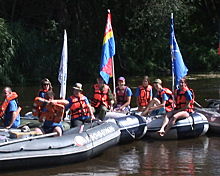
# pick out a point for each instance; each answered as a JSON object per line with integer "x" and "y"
{"x": 199, "y": 156}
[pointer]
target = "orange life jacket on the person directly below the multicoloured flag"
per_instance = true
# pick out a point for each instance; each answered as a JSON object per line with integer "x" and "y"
{"x": 100, "y": 96}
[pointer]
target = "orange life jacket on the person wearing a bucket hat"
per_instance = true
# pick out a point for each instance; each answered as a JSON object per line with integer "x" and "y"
{"x": 79, "y": 108}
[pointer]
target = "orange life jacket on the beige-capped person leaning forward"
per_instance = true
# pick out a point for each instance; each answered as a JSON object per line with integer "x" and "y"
{"x": 169, "y": 102}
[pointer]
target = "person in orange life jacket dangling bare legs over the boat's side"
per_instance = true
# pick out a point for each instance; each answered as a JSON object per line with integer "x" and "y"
{"x": 184, "y": 99}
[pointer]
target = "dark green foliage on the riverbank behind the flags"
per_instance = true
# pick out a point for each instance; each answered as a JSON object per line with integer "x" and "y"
{"x": 32, "y": 36}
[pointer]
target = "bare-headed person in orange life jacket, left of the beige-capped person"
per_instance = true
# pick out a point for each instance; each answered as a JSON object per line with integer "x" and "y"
{"x": 144, "y": 94}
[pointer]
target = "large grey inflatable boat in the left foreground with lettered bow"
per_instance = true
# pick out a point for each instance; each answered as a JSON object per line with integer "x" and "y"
{"x": 17, "y": 151}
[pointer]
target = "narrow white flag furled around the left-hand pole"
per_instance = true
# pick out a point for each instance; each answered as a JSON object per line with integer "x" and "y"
{"x": 63, "y": 68}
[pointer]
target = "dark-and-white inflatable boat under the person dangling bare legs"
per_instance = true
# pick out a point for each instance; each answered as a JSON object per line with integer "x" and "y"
{"x": 191, "y": 127}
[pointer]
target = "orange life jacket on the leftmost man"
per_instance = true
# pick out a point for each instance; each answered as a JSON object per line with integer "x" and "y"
{"x": 5, "y": 103}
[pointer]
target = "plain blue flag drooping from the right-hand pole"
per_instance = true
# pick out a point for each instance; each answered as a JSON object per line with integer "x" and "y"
{"x": 178, "y": 66}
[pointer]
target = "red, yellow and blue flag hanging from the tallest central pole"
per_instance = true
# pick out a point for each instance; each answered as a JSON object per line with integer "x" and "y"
{"x": 108, "y": 51}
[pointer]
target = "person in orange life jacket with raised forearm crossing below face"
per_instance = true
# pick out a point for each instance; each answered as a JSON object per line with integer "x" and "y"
{"x": 51, "y": 115}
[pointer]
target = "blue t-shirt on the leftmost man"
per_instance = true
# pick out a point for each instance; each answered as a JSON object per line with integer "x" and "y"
{"x": 12, "y": 107}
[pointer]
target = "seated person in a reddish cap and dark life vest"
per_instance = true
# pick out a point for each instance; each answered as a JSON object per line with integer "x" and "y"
{"x": 122, "y": 97}
